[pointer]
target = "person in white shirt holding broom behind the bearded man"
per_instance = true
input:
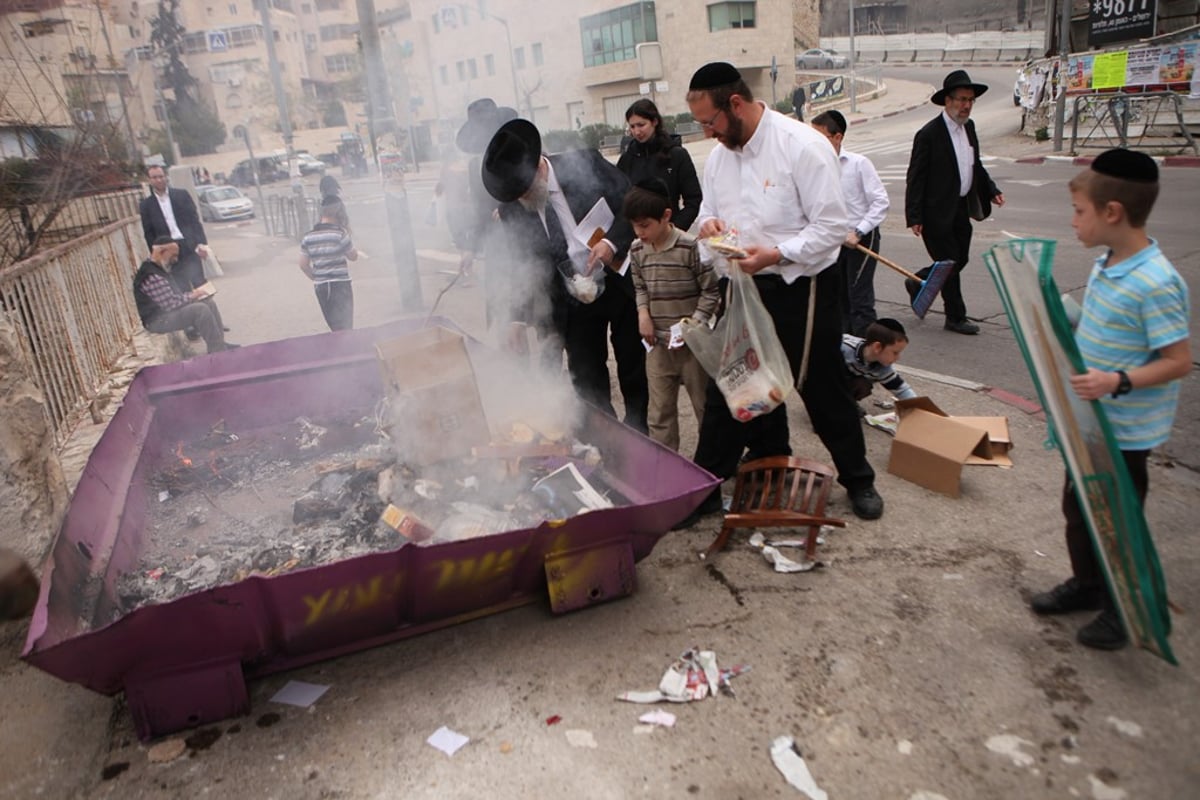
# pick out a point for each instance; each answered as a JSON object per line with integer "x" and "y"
{"x": 867, "y": 204}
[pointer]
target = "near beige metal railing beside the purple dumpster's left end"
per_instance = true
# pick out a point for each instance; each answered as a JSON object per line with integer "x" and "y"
{"x": 74, "y": 310}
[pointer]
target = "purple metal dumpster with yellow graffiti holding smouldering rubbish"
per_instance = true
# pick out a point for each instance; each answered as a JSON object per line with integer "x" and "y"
{"x": 185, "y": 663}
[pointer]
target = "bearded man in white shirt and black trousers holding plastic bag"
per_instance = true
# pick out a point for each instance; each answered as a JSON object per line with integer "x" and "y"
{"x": 777, "y": 182}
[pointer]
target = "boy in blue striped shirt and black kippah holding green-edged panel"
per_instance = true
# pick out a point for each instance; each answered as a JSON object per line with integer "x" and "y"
{"x": 1133, "y": 336}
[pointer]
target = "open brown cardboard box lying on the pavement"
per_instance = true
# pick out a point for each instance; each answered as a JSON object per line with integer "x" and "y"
{"x": 932, "y": 447}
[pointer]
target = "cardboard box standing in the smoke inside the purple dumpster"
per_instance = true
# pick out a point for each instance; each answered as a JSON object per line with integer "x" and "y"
{"x": 436, "y": 408}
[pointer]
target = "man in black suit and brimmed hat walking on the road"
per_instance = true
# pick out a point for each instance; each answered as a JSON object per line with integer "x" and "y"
{"x": 947, "y": 188}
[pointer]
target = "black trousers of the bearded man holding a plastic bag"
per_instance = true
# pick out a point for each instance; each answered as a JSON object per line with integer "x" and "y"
{"x": 827, "y": 395}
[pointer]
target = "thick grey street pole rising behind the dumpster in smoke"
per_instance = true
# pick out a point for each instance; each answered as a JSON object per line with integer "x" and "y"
{"x": 380, "y": 115}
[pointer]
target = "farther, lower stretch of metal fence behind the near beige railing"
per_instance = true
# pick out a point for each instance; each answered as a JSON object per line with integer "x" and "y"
{"x": 29, "y": 228}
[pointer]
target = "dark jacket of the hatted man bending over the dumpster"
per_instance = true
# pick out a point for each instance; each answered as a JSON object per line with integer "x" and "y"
{"x": 585, "y": 177}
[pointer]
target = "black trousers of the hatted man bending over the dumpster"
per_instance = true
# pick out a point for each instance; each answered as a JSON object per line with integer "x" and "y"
{"x": 587, "y": 330}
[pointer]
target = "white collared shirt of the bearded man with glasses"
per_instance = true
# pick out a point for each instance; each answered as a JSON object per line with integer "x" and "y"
{"x": 782, "y": 190}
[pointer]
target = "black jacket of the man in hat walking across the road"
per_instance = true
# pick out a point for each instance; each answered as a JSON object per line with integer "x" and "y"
{"x": 932, "y": 194}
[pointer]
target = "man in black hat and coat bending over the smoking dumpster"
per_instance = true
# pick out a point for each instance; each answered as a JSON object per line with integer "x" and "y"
{"x": 543, "y": 201}
